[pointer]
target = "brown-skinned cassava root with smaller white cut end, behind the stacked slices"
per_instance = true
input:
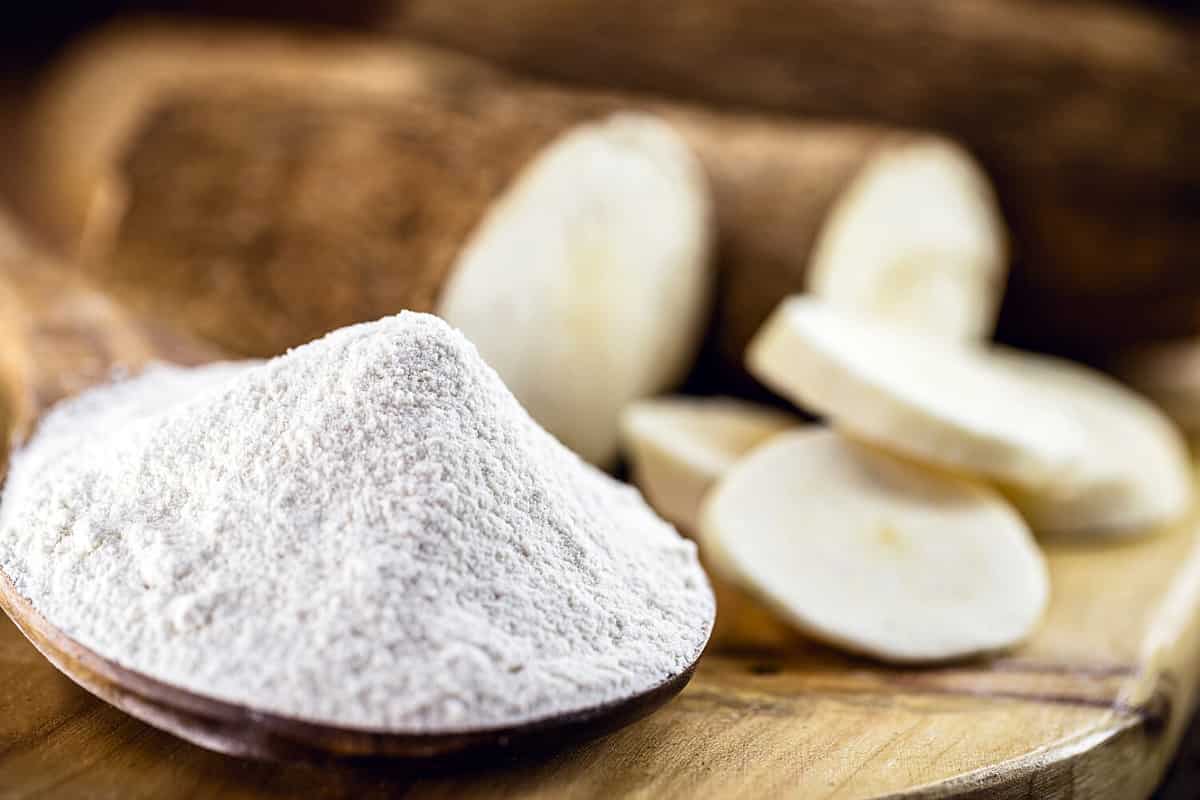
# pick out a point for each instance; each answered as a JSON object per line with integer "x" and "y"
{"x": 829, "y": 209}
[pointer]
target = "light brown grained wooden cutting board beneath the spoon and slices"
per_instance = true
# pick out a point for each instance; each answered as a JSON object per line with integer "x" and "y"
{"x": 1093, "y": 708}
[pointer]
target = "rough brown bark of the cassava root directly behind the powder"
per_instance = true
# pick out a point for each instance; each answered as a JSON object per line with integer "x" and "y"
{"x": 263, "y": 220}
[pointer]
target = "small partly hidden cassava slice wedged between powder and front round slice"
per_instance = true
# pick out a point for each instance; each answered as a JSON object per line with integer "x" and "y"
{"x": 680, "y": 447}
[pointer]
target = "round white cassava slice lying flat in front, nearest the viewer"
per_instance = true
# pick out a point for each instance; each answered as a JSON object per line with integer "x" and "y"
{"x": 873, "y": 554}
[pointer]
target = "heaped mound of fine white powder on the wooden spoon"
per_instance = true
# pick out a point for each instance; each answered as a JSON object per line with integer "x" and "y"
{"x": 368, "y": 532}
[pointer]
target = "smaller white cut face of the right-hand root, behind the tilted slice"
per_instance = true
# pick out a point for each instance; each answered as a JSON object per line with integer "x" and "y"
{"x": 917, "y": 240}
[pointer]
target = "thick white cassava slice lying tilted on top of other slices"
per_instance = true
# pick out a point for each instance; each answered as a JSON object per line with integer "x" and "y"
{"x": 941, "y": 402}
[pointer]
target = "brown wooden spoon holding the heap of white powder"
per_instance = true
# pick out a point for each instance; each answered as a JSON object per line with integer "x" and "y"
{"x": 58, "y": 336}
